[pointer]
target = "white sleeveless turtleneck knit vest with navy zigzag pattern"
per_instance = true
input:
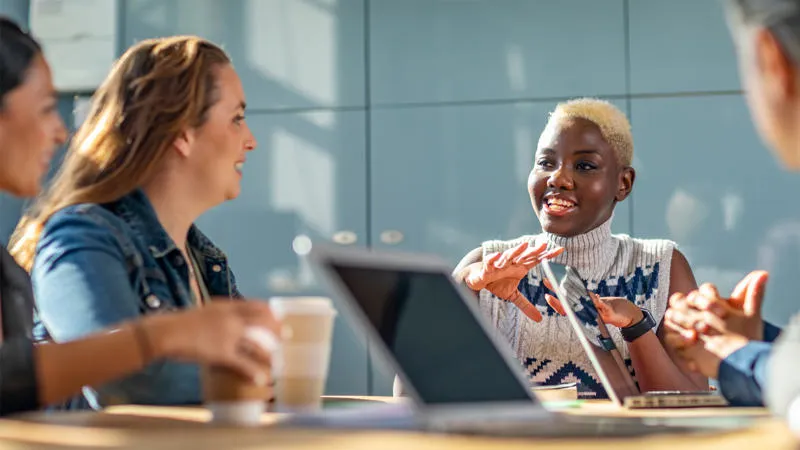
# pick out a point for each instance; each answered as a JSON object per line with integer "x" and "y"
{"x": 609, "y": 265}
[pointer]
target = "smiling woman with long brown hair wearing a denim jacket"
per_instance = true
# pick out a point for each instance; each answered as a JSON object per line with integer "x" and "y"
{"x": 112, "y": 239}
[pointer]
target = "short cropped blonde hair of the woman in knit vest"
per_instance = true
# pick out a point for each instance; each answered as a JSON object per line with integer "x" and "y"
{"x": 613, "y": 124}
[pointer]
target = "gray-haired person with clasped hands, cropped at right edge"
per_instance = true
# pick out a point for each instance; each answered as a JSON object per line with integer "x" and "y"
{"x": 726, "y": 338}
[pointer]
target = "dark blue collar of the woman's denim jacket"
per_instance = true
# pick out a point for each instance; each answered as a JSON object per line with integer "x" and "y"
{"x": 138, "y": 212}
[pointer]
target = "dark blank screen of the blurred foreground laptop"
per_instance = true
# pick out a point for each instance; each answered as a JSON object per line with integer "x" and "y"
{"x": 433, "y": 336}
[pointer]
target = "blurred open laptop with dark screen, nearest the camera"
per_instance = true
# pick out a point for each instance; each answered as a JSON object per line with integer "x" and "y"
{"x": 459, "y": 377}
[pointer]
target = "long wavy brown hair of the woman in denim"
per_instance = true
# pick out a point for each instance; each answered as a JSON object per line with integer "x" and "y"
{"x": 154, "y": 92}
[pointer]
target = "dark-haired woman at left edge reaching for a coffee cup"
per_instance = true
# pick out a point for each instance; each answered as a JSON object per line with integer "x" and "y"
{"x": 35, "y": 375}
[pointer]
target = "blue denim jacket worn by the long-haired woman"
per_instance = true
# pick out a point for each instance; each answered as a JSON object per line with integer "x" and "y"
{"x": 99, "y": 265}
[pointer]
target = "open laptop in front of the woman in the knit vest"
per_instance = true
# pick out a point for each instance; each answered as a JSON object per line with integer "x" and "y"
{"x": 603, "y": 353}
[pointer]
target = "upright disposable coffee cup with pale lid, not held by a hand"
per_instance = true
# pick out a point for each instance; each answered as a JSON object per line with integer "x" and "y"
{"x": 301, "y": 368}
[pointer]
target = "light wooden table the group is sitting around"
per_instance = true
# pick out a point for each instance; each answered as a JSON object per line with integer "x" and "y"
{"x": 182, "y": 427}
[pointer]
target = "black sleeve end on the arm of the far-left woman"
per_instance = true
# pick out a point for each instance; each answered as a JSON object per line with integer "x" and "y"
{"x": 18, "y": 388}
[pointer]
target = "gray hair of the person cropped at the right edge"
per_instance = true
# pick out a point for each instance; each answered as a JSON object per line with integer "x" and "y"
{"x": 781, "y": 17}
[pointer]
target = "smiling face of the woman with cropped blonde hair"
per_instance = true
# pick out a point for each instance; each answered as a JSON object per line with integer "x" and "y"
{"x": 577, "y": 178}
